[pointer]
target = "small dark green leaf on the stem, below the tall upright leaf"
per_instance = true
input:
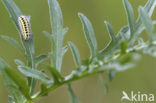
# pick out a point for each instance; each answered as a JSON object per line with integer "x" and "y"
{"x": 56, "y": 75}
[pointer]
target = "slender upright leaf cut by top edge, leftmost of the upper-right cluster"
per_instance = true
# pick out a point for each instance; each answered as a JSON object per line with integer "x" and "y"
{"x": 130, "y": 16}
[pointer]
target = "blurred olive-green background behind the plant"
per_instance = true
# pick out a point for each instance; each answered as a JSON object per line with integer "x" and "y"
{"x": 89, "y": 90}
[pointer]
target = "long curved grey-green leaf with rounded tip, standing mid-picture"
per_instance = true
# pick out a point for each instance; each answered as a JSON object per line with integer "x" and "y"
{"x": 89, "y": 34}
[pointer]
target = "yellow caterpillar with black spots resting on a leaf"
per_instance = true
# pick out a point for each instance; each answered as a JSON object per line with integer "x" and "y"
{"x": 24, "y": 26}
